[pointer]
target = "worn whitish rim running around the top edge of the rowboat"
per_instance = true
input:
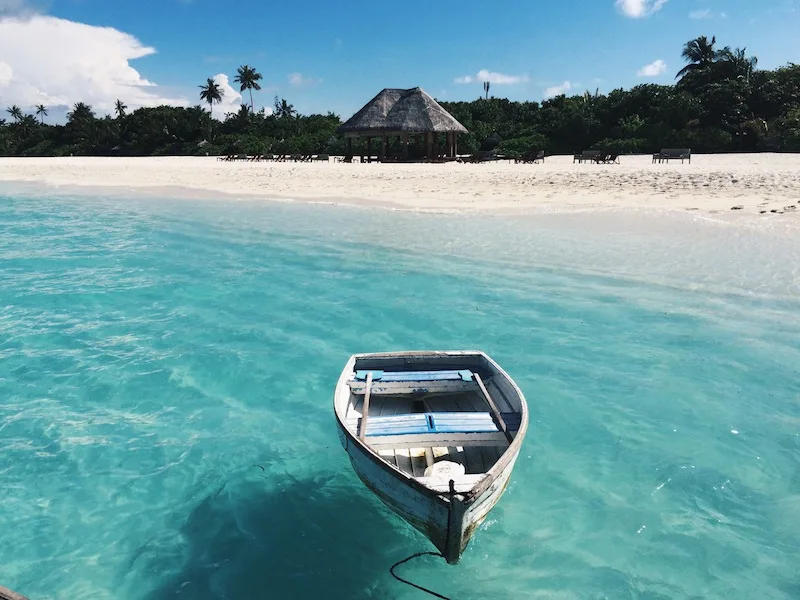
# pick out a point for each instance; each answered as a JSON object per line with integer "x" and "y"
{"x": 488, "y": 477}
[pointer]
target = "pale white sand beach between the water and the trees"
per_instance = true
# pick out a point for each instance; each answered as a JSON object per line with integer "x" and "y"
{"x": 761, "y": 184}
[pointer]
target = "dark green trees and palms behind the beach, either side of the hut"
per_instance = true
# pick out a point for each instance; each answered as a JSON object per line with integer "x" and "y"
{"x": 720, "y": 103}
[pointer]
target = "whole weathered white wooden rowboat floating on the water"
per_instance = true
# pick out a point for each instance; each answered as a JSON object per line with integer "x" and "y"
{"x": 434, "y": 435}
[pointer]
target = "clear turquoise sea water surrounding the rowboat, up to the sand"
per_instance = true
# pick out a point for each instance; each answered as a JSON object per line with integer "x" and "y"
{"x": 167, "y": 366}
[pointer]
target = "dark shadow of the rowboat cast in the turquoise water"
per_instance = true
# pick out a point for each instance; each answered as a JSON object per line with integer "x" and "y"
{"x": 305, "y": 538}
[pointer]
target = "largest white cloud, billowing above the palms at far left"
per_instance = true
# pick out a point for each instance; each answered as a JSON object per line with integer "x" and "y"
{"x": 56, "y": 62}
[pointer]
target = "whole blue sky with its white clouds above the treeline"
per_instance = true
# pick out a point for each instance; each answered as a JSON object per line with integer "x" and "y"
{"x": 335, "y": 55}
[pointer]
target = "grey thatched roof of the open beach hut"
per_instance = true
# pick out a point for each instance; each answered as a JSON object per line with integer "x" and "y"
{"x": 395, "y": 111}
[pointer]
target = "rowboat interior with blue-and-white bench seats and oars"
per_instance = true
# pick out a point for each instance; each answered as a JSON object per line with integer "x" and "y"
{"x": 434, "y": 420}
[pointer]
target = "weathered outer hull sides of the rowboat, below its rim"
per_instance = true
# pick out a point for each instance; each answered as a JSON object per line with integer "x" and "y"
{"x": 428, "y": 515}
